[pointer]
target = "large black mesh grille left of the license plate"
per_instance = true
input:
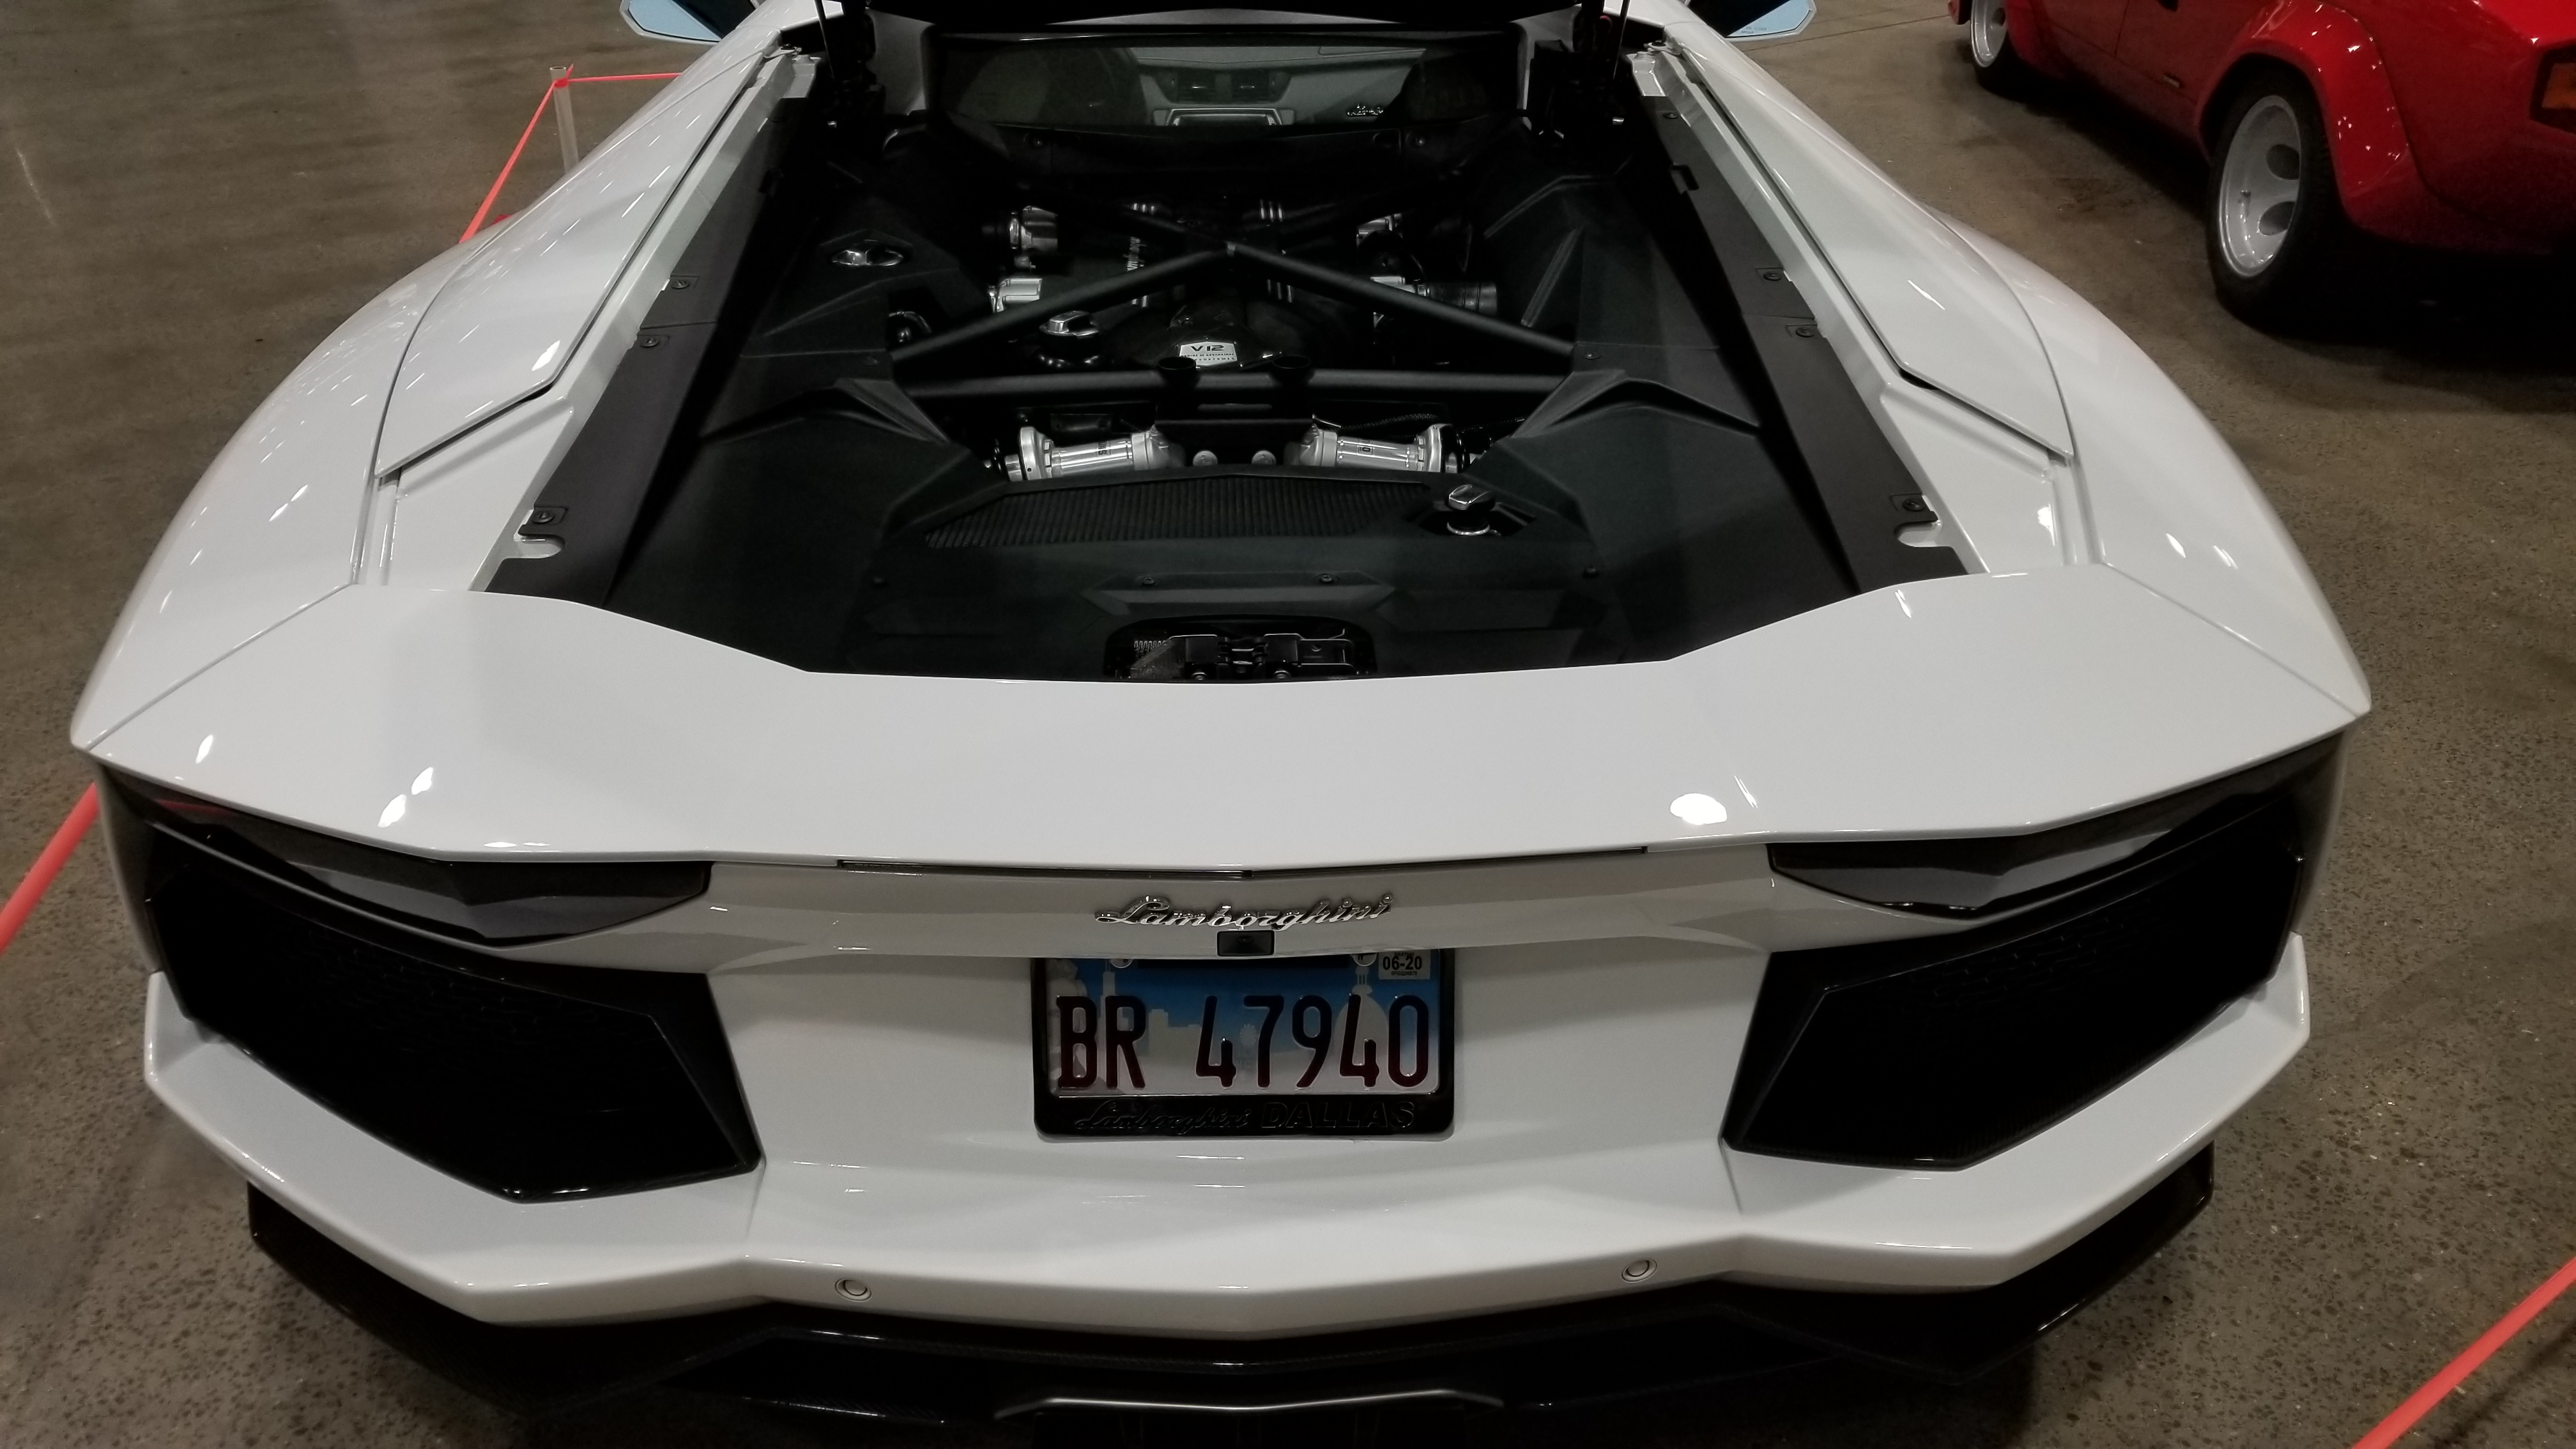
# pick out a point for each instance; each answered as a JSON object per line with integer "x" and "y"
{"x": 522, "y": 1079}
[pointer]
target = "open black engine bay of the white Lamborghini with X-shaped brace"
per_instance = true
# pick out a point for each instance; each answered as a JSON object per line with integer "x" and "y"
{"x": 1212, "y": 357}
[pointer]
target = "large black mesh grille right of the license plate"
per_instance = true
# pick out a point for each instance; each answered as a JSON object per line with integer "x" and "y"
{"x": 1954, "y": 1048}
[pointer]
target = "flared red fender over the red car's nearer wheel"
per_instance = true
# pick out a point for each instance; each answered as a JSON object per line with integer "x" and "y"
{"x": 2374, "y": 164}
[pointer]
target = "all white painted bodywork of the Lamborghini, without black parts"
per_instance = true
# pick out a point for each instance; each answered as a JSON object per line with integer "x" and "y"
{"x": 310, "y": 643}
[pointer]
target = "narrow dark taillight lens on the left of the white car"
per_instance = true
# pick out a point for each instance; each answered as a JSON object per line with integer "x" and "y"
{"x": 473, "y": 901}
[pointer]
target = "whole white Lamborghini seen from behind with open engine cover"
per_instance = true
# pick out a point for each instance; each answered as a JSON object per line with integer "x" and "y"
{"x": 1029, "y": 713}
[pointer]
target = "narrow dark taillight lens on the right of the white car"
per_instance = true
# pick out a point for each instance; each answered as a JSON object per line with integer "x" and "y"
{"x": 1990, "y": 875}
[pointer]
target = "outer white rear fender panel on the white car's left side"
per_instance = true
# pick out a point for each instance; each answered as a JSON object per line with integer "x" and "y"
{"x": 274, "y": 525}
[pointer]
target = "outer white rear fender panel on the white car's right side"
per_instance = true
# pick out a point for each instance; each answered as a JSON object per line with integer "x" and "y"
{"x": 2170, "y": 504}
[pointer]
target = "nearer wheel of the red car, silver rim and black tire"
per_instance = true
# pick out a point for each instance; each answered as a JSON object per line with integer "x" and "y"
{"x": 2273, "y": 223}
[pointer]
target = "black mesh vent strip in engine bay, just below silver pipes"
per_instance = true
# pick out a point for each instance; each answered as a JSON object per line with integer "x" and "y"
{"x": 1227, "y": 507}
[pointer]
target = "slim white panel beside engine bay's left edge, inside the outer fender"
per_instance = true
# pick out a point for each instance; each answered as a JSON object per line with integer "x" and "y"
{"x": 509, "y": 321}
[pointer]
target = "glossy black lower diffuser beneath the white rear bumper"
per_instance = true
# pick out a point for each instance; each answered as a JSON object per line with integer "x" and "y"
{"x": 931, "y": 1370}
